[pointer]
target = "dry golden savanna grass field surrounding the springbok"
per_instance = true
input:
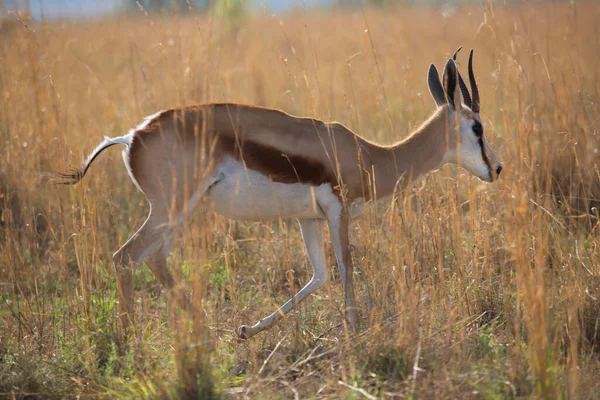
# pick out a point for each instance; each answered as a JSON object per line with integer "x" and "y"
{"x": 466, "y": 289}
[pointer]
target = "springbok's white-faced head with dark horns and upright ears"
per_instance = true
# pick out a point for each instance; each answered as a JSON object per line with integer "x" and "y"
{"x": 466, "y": 143}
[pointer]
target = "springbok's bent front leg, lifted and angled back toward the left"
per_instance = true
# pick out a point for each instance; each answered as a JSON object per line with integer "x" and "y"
{"x": 312, "y": 234}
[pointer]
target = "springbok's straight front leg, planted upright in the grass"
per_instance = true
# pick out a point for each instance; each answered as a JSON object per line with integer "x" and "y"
{"x": 338, "y": 220}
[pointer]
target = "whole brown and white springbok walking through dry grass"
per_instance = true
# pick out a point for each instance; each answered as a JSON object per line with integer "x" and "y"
{"x": 254, "y": 163}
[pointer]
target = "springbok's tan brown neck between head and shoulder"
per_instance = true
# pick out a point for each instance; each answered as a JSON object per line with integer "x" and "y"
{"x": 409, "y": 160}
